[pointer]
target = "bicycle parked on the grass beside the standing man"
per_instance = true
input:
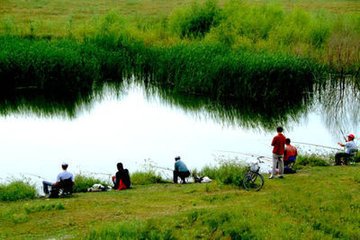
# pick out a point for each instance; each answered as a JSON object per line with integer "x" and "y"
{"x": 253, "y": 180}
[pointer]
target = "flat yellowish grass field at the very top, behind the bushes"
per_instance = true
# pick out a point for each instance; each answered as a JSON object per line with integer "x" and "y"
{"x": 54, "y": 17}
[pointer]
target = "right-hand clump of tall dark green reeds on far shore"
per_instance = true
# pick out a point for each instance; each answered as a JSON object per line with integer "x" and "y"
{"x": 214, "y": 70}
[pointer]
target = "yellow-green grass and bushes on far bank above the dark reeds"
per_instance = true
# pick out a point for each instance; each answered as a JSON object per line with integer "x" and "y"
{"x": 326, "y": 31}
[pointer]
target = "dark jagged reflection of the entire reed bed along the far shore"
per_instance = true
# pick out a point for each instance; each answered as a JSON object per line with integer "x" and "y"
{"x": 244, "y": 112}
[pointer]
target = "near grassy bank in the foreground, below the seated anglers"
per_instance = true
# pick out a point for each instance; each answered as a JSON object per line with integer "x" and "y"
{"x": 315, "y": 203}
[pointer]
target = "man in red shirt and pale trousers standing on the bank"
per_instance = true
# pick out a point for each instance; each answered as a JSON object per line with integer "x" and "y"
{"x": 278, "y": 144}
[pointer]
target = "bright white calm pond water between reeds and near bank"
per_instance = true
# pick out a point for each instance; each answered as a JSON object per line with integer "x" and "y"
{"x": 136, "y": 127}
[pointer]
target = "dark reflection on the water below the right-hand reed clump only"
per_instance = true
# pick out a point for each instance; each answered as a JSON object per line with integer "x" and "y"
{"x": 245, "y": 114}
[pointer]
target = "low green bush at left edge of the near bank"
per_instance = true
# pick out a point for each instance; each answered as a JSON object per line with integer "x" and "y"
{"x": 17, "y": 190}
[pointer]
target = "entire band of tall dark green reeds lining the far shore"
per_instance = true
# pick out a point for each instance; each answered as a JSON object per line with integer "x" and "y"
{"x": 66, "y": 68}
